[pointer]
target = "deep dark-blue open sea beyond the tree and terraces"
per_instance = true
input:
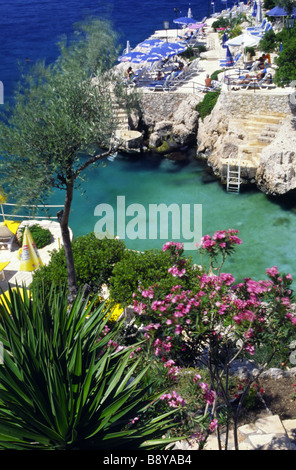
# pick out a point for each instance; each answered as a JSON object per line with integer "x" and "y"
{"x": 30, "y": 29}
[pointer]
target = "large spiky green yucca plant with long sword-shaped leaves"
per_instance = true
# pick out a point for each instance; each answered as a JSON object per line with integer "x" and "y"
{"x": 63, "y": 386}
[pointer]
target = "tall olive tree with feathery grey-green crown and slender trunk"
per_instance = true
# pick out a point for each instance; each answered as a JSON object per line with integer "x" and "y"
{"x": 61, "y": 121}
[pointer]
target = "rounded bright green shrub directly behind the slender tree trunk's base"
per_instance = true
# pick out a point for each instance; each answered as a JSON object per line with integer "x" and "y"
{"x": 94, "y": 260}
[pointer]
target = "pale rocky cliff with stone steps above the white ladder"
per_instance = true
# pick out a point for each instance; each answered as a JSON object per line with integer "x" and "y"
{"x": 257, "y": 130}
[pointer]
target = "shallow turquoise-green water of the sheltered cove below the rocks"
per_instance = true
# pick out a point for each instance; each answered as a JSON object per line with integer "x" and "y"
{"x": 267, "y": 226}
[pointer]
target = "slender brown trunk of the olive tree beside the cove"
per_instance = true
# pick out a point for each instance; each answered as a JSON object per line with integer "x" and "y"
{"x": 63, "y": 218}
